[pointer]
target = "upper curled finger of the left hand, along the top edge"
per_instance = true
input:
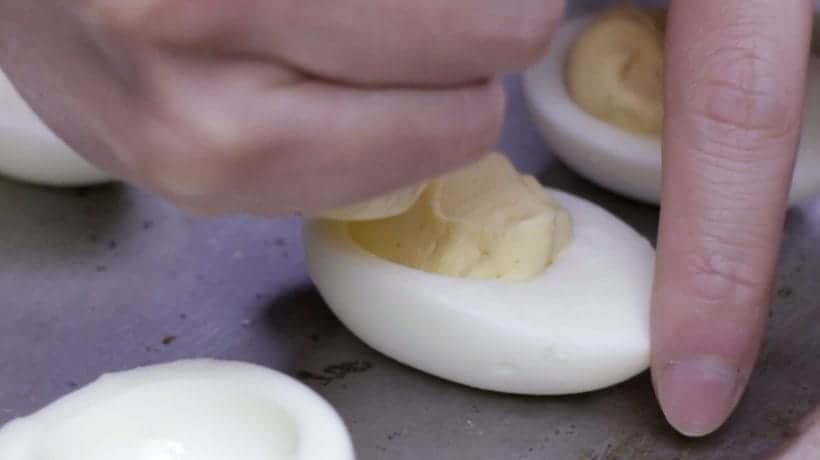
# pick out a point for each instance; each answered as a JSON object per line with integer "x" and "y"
{"x": 383, "y": 42}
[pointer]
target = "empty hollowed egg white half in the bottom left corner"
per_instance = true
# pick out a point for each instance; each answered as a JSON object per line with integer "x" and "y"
{"x": 188, "y": 410}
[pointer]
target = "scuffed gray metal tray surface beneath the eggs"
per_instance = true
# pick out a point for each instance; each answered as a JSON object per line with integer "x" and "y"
{"x": 105, "y": 279}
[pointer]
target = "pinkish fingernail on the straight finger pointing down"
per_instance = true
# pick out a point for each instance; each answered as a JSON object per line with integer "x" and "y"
{"x": 698, "y": 394}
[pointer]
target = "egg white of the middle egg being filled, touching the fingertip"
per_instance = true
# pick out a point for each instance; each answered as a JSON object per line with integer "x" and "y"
{"x": 581, "y": 325}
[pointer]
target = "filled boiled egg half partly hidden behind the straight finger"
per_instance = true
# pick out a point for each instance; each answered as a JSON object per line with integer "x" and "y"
{"x": 597, "y": 99}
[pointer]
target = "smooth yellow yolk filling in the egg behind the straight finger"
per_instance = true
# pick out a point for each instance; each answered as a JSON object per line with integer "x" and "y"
{"x": 614, "y": 71}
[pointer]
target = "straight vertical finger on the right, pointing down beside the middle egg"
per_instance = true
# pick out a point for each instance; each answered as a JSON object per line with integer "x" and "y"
{"x": 735, "y": 83}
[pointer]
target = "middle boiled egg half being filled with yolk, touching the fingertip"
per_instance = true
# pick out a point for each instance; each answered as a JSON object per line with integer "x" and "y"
{"x": 484, "y": 278}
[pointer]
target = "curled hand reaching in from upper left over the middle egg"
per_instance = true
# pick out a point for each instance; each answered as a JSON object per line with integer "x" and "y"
{"x": 272, "y": 106}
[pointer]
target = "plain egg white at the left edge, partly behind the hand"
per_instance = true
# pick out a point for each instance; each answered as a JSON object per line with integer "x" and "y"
{"x": 30, "y": 152}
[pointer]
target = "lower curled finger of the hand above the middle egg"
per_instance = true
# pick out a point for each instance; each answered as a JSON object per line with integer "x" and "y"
{"x": 312, "y": 146}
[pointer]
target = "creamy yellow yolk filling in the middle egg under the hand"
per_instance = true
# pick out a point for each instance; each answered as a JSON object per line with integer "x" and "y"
{"x": 485, "y": 221}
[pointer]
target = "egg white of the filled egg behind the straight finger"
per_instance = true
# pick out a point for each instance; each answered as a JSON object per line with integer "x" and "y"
{"x": 630, "y": 164}
